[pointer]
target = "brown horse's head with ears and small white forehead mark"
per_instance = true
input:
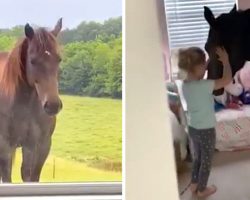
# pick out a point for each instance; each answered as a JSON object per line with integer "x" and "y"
{"x": 42, "y": 65}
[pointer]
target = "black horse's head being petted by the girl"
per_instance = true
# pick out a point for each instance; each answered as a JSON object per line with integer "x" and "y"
{"x": 231, "y": 30}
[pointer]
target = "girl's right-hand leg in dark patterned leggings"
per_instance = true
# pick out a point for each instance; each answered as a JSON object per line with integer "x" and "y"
{"x": 207, "y": 151}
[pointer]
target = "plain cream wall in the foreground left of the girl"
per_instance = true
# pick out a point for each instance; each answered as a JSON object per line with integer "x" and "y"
{"x": 150, "y": 170}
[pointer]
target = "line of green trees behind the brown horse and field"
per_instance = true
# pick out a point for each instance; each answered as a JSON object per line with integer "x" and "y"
{"x": 92, "y": 57}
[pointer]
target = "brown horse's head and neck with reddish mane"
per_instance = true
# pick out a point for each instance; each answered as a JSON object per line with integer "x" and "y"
{"x": 34, "y": 61}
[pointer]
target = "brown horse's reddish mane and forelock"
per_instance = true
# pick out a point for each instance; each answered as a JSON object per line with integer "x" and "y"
{"x": 12, "y": 71}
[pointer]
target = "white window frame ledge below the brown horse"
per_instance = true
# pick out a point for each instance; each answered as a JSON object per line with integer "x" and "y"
{"x": 52, "y": 189}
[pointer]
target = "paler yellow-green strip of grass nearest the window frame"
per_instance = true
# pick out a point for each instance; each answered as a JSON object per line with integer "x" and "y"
{"x": 66, "y": 171}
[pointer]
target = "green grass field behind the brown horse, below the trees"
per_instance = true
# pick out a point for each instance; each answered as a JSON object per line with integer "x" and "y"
{"x": 87, "y": 142}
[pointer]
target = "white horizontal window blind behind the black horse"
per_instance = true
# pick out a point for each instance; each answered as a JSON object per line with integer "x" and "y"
{"x": 186, "y": 23}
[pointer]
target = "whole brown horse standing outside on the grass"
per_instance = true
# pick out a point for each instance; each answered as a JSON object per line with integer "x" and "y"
{"x": 29, "y": 101}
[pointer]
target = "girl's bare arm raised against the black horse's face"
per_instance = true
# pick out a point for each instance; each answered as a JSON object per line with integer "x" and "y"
{"x": 227, "y": 72}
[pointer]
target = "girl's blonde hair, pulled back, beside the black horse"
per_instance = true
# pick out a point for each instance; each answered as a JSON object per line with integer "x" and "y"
{"x": 189, "y": 58}
